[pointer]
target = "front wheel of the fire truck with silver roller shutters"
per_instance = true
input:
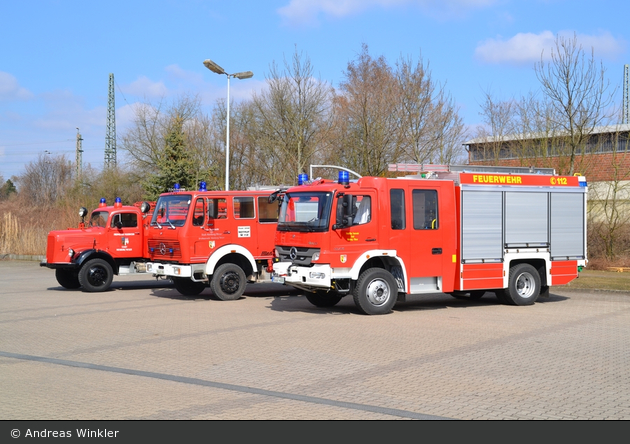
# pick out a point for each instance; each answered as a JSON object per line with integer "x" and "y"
{"x": 376, "y": 292}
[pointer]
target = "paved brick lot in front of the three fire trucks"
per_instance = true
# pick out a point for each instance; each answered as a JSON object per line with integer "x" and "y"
{"x": 141, "y": 351}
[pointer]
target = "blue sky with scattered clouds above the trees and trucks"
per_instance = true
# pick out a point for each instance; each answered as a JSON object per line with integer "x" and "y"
{"x": 56, "y": 55}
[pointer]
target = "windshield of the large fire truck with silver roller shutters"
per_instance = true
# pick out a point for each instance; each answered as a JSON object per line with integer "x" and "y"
{"x": 305, "y": 211}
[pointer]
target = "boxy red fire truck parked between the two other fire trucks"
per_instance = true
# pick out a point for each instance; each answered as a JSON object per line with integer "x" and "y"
{"x": 221, "y": 239}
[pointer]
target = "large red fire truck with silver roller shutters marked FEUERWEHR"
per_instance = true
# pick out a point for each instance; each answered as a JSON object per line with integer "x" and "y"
{"x": 461, "y": 230}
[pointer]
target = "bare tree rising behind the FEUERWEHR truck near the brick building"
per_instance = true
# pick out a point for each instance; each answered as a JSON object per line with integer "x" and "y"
{"x": 577, "y": 90}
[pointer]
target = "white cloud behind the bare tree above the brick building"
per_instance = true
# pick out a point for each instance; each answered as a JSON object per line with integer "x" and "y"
{"x": 529, "y": 47}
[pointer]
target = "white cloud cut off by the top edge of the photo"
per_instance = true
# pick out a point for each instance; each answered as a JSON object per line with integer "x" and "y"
{"x": 306, "y": 12}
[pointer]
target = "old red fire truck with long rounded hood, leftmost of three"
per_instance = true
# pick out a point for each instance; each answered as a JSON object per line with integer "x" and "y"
{"x": 111, "y": 243}
